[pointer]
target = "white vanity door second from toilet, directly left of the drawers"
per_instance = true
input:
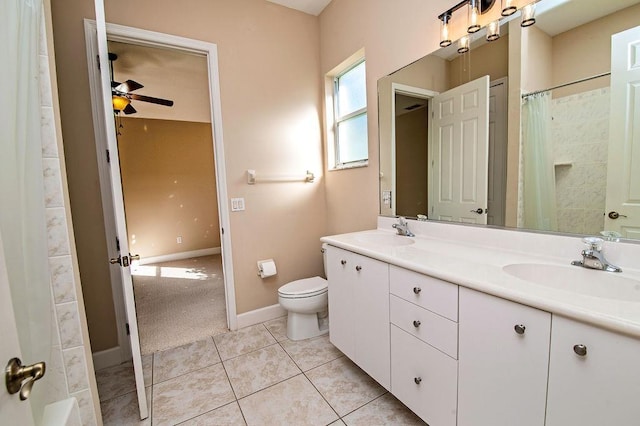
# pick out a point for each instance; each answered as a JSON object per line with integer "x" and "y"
{"x": 371, "y": 326}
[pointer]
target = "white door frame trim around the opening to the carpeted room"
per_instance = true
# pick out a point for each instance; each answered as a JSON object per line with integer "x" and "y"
{"x": 142, "y": 38}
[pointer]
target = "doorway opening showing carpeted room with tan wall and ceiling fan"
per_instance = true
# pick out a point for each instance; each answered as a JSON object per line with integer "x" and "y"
{"x": 170, "y": 198}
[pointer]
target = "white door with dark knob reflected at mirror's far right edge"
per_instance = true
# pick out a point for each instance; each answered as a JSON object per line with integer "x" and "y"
{"x": 623, "y": 169}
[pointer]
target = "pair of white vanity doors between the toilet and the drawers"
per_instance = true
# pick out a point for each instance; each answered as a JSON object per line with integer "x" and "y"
{"x": 359, "y": 310}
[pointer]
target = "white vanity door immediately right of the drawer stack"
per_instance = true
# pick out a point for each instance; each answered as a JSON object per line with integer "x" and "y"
{"x": 502, "y": 371}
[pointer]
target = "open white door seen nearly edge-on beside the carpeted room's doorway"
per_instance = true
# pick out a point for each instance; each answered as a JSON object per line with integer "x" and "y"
{"x": 121, "y": 228}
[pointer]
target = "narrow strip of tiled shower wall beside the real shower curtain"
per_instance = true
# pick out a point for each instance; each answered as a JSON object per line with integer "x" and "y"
{"x": 70, "y": 375}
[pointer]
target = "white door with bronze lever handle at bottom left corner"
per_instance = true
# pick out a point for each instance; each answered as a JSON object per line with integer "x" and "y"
{"x": 12, "y": 410}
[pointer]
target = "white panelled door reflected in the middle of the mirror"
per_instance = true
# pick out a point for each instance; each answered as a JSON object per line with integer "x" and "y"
{"x": 460, "y": 151}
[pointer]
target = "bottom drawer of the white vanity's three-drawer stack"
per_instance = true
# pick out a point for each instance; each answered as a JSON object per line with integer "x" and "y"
{"x": 423, "y": 378}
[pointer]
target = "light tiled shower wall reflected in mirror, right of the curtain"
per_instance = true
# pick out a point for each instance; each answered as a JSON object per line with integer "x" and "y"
{"x": 580, "y": 131}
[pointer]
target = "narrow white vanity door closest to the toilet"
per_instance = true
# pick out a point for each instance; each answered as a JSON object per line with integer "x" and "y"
{"x": 341, "y": 310}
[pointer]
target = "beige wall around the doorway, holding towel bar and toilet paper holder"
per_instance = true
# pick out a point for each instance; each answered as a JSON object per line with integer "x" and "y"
{"x": 271, "y": 98}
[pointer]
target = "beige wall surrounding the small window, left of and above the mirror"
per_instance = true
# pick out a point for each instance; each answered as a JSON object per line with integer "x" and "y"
{"x": 393, "y": 34}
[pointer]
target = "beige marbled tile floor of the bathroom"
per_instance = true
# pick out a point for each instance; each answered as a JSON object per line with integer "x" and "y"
{"x": 254, "y": 376}
